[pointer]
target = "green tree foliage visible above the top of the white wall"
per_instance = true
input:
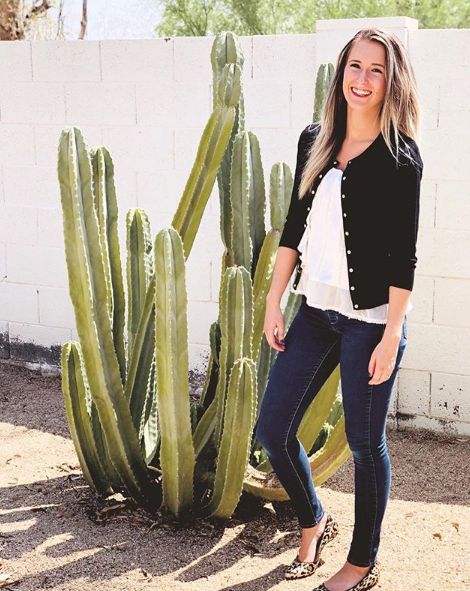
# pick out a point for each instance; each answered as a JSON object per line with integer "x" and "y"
{"x": 269, "y": 17}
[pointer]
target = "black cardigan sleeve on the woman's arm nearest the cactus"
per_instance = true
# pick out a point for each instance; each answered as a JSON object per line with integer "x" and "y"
{"x": 294, "y": 223}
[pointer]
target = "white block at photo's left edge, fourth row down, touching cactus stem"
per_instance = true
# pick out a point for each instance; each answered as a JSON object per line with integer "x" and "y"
{"x": 31, "y": 186}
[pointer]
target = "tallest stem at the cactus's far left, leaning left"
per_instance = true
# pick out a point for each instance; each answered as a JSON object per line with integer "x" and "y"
{"x": 89, "y": 293}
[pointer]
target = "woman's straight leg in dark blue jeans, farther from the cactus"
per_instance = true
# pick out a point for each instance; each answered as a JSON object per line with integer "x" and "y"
{"x": 365, "y": 410}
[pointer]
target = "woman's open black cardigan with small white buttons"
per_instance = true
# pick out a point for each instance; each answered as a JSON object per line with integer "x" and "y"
{"x": 380, "y": 205}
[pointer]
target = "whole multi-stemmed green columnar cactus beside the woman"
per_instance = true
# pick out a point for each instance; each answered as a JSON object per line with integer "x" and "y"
{"x": 127, "y": 399}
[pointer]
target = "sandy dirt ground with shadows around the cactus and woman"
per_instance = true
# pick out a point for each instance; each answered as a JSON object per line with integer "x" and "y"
{"x": 55, "y": 535}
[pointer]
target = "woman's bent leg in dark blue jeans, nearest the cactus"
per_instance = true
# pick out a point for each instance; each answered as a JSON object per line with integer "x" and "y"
{"x": 311, "y": 354}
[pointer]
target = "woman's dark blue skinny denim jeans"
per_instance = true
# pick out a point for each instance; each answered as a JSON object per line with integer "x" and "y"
{"x": 316, "y": 342}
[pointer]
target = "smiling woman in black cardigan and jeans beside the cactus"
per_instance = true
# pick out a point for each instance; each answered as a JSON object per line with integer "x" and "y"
{"x": 353, "y": 223}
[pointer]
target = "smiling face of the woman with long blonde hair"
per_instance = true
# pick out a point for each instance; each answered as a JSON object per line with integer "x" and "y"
{"x": 365, "y": 70}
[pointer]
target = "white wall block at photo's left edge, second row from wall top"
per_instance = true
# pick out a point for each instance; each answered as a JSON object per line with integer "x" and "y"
{"x": 26, "y": 102}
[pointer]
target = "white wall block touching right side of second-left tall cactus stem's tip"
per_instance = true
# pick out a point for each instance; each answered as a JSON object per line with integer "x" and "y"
{"x": 140, "y": 148}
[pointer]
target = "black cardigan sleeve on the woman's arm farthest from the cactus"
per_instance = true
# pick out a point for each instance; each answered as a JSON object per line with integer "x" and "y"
{"x": 405, "y": 220}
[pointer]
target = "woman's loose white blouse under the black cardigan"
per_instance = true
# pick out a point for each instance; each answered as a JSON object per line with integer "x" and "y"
{"x": 324, "y": 279}
